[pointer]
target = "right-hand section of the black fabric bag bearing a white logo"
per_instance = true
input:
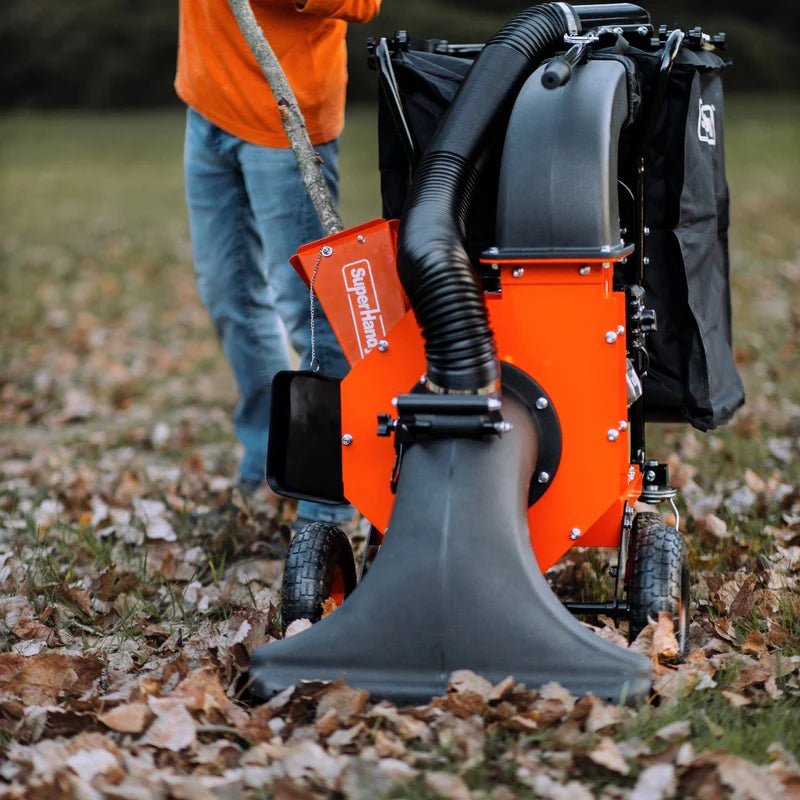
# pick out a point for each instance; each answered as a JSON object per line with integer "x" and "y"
{"x": 692, "y": 375}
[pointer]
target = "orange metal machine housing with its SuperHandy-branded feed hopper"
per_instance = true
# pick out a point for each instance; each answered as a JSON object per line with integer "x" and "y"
{"x": 559, "y": 321}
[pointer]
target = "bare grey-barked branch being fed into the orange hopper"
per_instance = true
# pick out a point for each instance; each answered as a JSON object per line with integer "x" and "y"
{"x": 308, "y": 160}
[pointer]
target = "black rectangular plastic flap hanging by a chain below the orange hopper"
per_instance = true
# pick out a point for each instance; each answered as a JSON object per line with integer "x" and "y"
{"x": 304, "y": 455}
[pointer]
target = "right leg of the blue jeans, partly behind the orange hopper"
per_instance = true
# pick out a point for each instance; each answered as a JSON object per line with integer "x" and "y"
{"x": 286, "y": 219}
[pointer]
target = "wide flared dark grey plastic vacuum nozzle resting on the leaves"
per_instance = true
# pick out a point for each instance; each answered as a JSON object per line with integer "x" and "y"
{"x": 455, "y": 586}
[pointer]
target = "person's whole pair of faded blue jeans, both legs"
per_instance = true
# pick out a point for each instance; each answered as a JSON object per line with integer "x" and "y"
{"x": 248, "y": 213}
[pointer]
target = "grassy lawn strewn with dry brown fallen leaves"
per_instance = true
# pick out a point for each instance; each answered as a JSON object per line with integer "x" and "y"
{"x": 114, "y": 397}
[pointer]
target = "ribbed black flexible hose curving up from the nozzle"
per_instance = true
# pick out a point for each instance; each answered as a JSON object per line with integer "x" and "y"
{"x": 433, "y": 264}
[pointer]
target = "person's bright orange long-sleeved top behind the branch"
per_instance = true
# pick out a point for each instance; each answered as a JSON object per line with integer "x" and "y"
{"x": 219, "y": 76}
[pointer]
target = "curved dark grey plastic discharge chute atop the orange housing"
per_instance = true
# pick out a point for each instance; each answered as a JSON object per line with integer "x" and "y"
{"x": 558, "y": 179}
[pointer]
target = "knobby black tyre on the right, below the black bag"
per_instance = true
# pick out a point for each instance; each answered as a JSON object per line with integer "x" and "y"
{"x": 659, "y": 576}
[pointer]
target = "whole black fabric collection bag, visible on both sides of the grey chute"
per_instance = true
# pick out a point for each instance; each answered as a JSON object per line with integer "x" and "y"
{"x": 692, "y": 376}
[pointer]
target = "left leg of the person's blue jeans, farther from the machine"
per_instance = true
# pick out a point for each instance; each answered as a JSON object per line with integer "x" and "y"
{"x": 230, "y": 270}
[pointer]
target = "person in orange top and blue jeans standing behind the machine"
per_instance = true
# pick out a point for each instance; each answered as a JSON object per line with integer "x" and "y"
{"x": 248, "y": 207}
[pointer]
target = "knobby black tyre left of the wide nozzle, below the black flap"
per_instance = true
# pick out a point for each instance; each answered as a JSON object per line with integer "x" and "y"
{"x": 319, "y": 566}
